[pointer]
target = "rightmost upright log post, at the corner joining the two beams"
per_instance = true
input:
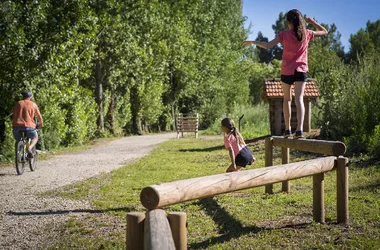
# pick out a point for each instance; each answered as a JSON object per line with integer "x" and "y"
{"x": 342, "y": 190}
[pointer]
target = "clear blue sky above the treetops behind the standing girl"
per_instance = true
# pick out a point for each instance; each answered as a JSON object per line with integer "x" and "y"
{"x": 348, "y": 15}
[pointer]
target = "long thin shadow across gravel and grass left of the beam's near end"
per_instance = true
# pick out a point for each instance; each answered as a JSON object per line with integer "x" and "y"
{"x": 90, "y": 211}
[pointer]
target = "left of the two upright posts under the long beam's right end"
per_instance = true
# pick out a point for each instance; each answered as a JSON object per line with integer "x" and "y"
{"x": 318, "y": 198}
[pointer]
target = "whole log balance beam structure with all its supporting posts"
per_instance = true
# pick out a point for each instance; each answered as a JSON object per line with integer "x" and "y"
{"x": 157, "y": 196}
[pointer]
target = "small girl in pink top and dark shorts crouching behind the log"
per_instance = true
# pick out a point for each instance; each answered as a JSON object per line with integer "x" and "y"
{"x": 240, "y": 154}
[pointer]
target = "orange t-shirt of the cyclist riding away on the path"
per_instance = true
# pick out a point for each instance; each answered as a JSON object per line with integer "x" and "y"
{"x": 23, "y": 114}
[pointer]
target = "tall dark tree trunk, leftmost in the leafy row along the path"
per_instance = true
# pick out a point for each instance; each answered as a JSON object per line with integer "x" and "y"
{"x": 99, "y": 93}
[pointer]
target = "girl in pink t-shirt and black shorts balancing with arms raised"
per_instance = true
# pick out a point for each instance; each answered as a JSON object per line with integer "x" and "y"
{"x": 294, "y": 66}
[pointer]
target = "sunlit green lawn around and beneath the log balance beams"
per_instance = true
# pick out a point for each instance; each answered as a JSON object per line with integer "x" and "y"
{"x": 246, "y": 219}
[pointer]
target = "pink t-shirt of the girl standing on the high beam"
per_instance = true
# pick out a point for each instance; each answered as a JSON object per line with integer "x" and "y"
{"x": 294, "y": 56}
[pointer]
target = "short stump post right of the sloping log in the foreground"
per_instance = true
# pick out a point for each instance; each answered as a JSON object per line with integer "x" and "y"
{"x": 178, "y": 221}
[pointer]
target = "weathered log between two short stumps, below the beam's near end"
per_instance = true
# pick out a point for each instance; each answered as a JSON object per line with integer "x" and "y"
{"x": 157, "y": 233}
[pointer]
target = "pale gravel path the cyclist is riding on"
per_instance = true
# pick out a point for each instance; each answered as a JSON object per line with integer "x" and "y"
{"x": 23, "y": 213}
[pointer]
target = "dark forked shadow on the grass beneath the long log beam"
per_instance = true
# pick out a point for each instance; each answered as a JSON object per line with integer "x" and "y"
{"x": 229, "y": 227}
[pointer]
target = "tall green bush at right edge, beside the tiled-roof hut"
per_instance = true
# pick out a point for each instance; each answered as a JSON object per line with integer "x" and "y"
{"x": 350, "y": 104}
